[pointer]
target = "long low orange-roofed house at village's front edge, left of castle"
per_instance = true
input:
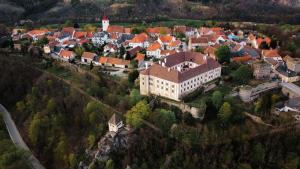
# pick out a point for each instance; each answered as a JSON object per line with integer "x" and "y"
{"x": 113, "y": 62}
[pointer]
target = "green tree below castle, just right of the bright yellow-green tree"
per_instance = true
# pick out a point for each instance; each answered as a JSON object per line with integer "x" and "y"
{"x": 165, "y": 119}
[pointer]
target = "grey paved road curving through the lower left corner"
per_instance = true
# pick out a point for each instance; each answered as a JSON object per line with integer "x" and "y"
{"x": 17, "y": 139}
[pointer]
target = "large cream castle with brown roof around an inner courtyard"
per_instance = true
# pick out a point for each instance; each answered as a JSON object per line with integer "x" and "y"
{"x": 179, "y": 74}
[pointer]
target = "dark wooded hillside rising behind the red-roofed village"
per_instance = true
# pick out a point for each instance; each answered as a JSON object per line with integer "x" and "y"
{"x": 50, "y": 11}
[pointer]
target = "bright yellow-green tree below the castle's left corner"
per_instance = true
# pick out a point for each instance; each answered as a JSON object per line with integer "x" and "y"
{"x": 137, "y": 113}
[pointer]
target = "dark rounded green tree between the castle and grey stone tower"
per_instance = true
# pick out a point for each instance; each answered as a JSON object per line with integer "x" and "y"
{"x": 242, "y": 75}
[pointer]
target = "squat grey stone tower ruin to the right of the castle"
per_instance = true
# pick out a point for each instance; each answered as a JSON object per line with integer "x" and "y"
{"x": 261, "y": 70}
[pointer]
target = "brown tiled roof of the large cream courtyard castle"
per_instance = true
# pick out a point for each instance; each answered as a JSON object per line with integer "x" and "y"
{"x": 176, "y": 76}
